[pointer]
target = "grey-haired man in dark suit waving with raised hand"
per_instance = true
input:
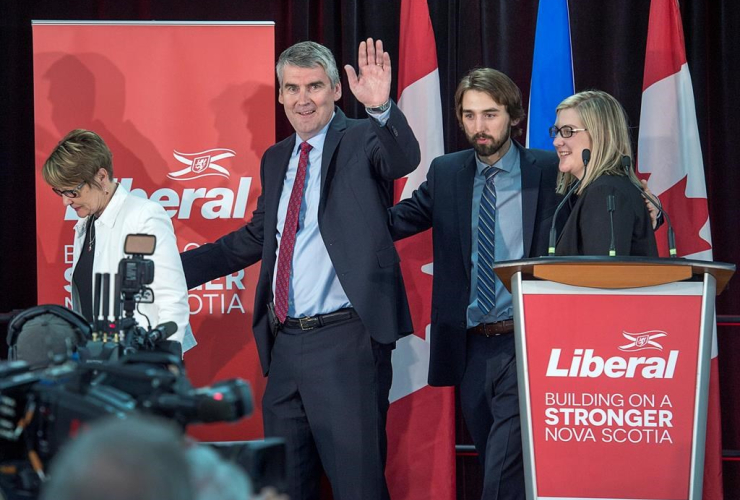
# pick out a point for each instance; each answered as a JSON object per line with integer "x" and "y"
{"x": 330, "y": 301}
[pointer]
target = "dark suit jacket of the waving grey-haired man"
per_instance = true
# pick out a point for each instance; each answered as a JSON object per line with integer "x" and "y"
{"x": 359, "y": 163}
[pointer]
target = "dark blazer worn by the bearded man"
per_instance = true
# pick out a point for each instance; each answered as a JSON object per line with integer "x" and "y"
{"x": 444, "y": 202}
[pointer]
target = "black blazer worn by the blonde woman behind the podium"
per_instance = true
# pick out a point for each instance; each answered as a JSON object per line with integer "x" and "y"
{"x": 588, "y": 229}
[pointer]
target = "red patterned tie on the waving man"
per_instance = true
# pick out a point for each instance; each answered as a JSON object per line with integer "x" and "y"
{"x": 287, "y": 240}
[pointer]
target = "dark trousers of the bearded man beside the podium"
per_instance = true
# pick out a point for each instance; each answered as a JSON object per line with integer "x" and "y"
{"x": 490, "y": 406}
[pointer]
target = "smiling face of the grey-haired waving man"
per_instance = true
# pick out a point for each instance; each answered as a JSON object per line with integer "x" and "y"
{"x": 308, "y": 98}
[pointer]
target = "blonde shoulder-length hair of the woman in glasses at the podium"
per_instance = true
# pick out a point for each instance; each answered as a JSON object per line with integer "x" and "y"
{"x": 606, "y": 123}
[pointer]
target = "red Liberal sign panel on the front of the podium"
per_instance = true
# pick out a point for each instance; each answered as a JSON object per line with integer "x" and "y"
{"x": 612, "y": 388}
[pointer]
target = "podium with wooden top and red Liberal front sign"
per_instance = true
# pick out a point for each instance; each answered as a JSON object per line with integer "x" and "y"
{"x": 613, "y": 360}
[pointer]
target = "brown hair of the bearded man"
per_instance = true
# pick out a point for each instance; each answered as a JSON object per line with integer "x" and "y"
{"x": 499, "y": 87}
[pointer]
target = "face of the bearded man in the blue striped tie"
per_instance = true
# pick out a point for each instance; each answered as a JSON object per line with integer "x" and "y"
{"x": 487, "y": 125}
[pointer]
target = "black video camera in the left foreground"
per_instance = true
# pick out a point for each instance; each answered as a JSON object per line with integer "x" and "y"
{"x": 116, "y": 368}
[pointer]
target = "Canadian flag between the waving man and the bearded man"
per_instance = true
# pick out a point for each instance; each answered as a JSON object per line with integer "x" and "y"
{"x": 421, "y": 430}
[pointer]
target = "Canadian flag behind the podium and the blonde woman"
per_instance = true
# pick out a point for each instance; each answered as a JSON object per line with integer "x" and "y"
{"x": 669, "y": 155}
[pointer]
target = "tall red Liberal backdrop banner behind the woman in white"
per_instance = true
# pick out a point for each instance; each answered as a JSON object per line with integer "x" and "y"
{"x": 187, "y": 110}
